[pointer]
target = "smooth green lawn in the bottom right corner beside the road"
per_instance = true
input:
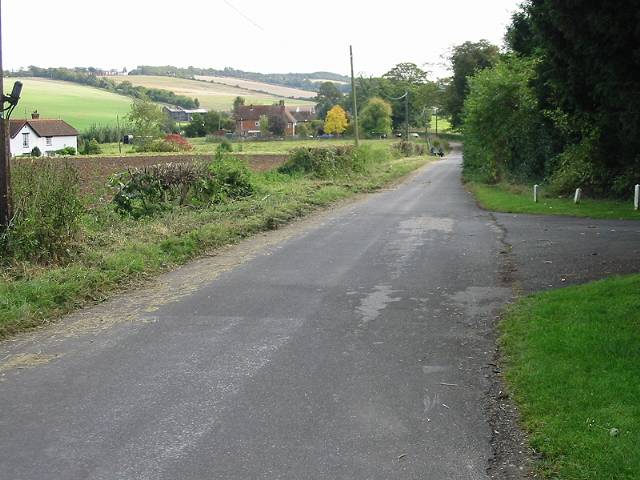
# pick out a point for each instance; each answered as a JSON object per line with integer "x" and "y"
{"x": 572, "y": 360}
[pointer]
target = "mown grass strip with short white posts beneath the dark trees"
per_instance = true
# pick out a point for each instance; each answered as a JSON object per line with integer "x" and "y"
{"x": 519, "y": 199}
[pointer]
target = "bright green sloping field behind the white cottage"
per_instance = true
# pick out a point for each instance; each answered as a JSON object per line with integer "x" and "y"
{"x": 79, "y": 105}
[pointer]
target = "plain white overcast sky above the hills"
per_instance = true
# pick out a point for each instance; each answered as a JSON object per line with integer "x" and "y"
{"x": 253, "y": 35}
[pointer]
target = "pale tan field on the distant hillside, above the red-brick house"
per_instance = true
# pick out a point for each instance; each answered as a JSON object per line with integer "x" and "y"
{"x": 212, "y": 96}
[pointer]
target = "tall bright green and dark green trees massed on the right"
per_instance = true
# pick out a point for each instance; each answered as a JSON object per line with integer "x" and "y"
{"x": 561, "y": 103}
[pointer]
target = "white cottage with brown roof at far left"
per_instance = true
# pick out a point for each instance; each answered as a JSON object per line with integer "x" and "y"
{"x": 47, "y": 135}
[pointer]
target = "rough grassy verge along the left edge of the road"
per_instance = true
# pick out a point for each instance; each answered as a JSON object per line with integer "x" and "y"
{"x": 115, "y": 251}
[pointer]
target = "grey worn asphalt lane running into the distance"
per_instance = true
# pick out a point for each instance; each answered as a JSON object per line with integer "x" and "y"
{"x": 356, "y": 345}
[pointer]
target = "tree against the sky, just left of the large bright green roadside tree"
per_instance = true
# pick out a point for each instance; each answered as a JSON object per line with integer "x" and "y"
{"x": 466, "y": 59}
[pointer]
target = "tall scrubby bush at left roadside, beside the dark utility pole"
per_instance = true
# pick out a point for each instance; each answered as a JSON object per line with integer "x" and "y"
{"x": 47, "y": 211}
